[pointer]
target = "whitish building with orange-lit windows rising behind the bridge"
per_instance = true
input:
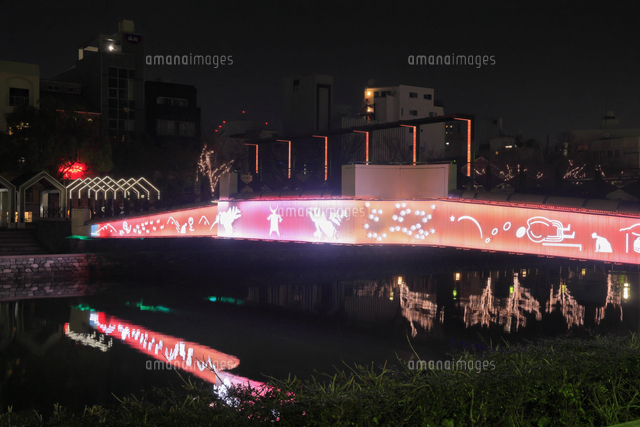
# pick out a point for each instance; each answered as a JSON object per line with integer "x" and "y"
{"x": 383, "y": 104}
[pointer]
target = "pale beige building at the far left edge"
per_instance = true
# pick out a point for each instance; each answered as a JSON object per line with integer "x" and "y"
{"x": 19, "y": 85}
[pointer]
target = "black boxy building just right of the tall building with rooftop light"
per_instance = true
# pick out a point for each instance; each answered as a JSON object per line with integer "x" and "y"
{"x": 172, "y": 113}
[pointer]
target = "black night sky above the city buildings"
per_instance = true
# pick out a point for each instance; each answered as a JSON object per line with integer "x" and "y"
{"x": 555, "y": 68}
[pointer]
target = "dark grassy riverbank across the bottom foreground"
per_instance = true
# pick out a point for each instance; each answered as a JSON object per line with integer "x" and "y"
{"x": 559, "y": 381}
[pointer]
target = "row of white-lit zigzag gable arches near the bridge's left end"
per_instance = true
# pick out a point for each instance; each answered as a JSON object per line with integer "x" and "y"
{"x": 108, "y": 185}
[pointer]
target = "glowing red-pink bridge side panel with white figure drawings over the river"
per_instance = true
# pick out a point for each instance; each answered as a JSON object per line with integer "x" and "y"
{"x": 582, "y": 229}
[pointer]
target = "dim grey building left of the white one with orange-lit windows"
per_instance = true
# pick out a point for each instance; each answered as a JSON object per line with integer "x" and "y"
{"x": 308, "y": 104}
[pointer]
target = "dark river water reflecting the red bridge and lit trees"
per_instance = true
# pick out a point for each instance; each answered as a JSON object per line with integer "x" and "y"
{"x": 84, "y": 350}
